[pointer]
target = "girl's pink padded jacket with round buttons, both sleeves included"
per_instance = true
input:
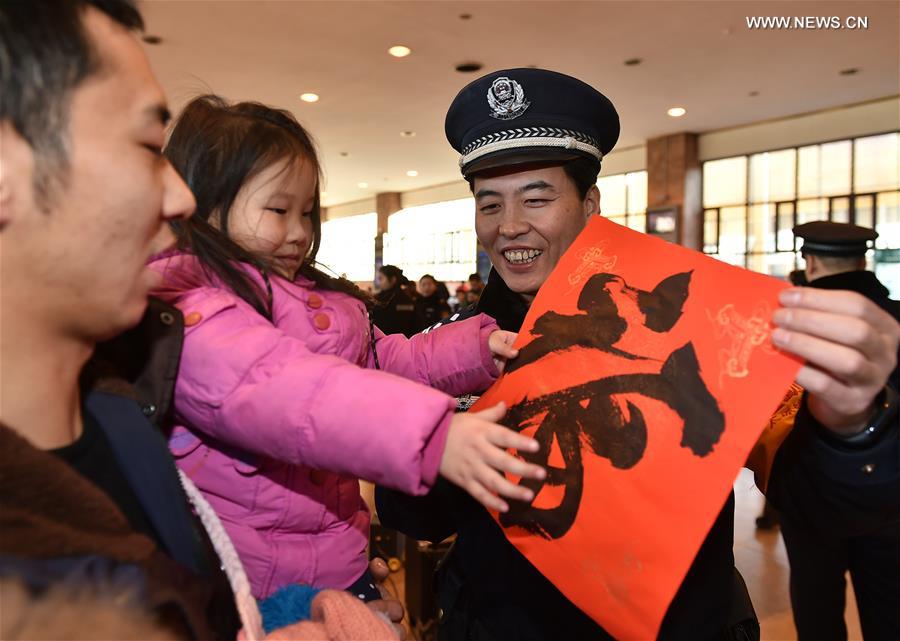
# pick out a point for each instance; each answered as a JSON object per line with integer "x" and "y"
{"x": 276, "y": 421}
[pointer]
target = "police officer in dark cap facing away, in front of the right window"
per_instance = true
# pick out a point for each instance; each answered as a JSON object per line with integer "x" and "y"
{"x": 835, "y": 256}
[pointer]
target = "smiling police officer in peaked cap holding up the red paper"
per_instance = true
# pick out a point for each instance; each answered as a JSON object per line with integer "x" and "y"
{"x": 531, "y": 143}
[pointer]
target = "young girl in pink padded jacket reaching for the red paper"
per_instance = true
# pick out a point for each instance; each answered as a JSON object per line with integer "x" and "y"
{"x": 279, "y": 406}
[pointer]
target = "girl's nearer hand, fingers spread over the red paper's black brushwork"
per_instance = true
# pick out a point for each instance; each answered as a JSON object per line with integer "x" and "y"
{"x": 475, "y": 451}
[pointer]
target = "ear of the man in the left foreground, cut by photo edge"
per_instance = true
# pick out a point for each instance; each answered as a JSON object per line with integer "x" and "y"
{"x": 16, "y": 174}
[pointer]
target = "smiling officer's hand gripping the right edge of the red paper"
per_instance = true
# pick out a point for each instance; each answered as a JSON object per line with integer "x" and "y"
{"x": 850, "y": 348}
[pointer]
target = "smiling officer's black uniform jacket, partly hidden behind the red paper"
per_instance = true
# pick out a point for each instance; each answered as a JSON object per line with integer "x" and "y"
{"x": 490, "y": 591}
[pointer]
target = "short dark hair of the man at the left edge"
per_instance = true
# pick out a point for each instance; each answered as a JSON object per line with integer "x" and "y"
{"x": 45, "y": 53}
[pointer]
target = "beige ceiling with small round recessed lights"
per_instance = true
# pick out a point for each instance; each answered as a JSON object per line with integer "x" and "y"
{"x": 697, "y": 55}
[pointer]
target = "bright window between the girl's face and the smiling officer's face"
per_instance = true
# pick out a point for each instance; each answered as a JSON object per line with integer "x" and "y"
{"x": 437, "y": 239}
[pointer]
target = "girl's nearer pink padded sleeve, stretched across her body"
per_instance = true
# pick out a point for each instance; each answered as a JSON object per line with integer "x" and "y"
{"x": 247, "y": 384}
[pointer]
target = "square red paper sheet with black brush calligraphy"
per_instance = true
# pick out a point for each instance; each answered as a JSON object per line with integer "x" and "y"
{"x": 647, "y": 373}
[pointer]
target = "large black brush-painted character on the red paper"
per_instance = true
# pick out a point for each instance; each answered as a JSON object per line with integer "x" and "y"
{"x": 589, "y": 413}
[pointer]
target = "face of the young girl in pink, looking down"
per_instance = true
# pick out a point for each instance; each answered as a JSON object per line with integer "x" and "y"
{"x": 271, "y": 216}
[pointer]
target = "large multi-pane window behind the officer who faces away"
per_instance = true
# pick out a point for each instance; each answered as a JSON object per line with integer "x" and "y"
{"x": 752, "y": 203}
